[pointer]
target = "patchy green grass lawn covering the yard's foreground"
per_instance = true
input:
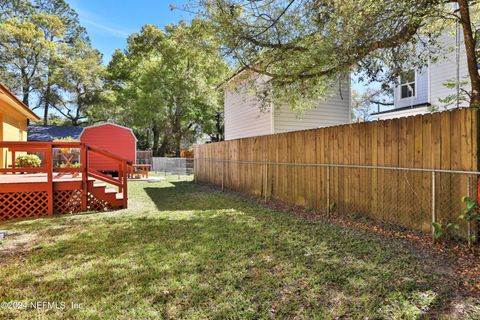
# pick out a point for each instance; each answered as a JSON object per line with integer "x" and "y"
{"x": 186, "y": 251}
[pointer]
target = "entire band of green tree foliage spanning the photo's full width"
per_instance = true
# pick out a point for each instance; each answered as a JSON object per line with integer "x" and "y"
{"x": 165, "y": 84}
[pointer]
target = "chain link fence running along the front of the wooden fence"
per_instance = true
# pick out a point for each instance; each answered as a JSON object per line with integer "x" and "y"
{"x": 408, "y": 197}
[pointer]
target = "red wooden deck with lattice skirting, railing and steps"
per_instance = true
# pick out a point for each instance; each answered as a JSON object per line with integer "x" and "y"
{"x": 51, "y": 188}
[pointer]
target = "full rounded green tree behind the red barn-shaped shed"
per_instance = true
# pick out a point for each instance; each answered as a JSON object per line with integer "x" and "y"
{"x": 168, "y": 81}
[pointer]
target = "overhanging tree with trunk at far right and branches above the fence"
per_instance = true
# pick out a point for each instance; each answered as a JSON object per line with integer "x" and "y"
{"x": 302, "y": 45}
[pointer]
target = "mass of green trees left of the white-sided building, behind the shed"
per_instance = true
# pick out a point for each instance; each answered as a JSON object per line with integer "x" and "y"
{"x": 164, "y": 84}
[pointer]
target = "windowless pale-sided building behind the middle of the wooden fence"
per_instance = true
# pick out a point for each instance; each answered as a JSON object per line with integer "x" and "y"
{"x": 244, "y": 117}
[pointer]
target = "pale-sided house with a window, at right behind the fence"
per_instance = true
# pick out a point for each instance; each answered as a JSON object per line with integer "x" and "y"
{"x": 421, "y": 91}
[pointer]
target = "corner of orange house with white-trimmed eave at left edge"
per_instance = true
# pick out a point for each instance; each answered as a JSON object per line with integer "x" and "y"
{"x": 14, "y": 118}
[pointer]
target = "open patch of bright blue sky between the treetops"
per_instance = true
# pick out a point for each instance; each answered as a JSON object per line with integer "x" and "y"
{"x": 110, "y": 22}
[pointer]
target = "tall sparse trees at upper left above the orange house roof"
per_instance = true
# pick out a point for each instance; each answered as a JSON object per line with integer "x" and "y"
{"x": 42, "y": 48}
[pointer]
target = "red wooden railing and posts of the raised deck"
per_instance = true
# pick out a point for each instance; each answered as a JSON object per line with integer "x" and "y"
{"x": 74, "y": 158}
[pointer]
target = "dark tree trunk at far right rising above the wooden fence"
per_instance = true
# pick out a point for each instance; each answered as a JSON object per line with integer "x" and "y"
{"x": 470, "y": 52}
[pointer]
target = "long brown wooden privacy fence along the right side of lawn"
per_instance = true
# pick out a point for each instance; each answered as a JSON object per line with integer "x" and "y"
{"x": 407, "y": 171}
